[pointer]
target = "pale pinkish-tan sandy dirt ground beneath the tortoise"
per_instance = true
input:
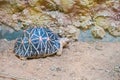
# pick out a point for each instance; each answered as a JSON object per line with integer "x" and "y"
{"x": 80, "y": 61}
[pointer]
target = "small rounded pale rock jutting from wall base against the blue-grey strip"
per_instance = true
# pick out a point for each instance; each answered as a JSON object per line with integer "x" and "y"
{"x": 98, "y": 32}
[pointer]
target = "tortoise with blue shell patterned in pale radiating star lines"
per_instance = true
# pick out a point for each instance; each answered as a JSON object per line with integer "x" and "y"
{"x": 36, "y": 42}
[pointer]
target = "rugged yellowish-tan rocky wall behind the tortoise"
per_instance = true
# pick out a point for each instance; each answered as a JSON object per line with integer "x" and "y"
{"x": 65, "y": 17}
